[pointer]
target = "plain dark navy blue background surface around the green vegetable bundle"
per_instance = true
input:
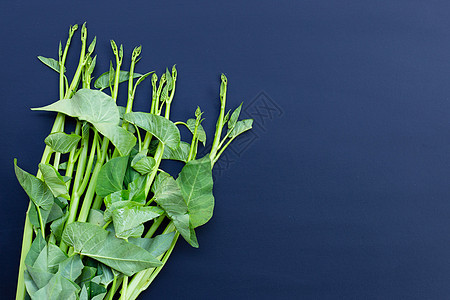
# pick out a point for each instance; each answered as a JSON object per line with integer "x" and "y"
{"x": 342, "y": 191}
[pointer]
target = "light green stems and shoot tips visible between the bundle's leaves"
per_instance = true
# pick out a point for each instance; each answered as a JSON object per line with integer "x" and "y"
{"x": 84, "y": 162}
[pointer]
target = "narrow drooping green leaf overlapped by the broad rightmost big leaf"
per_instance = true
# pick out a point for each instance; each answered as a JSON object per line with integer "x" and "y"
{"x": 168, "y": 195}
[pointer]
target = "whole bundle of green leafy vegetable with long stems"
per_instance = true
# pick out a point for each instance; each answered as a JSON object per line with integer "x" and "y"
{"x": 100, "y": 201}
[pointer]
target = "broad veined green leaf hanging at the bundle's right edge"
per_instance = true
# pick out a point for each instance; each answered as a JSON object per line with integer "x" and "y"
{"x": 196, "y": 184}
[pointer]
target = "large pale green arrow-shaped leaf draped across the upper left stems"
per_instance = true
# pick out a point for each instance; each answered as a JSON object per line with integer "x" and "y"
{"x": 101, "y": 111}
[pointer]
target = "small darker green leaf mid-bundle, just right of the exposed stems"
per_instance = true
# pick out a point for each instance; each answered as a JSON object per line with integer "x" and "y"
{"x": 111, "y": 175}
